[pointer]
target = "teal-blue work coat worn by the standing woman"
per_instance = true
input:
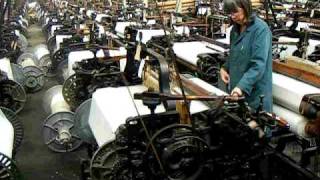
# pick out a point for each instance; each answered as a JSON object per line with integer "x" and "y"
{"x": 250, "y": 62}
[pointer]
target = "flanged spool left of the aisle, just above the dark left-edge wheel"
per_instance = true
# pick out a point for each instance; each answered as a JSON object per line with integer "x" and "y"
{"x": 34, "y": 75}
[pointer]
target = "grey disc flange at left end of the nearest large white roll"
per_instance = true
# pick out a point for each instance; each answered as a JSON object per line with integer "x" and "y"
{"x": 81, "y": 124}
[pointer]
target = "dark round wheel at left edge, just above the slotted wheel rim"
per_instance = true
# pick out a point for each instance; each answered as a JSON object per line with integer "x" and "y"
{"x": 13, "y": 95}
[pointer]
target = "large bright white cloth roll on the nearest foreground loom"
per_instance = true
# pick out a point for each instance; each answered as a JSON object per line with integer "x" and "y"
{"x": 111, "y": 107}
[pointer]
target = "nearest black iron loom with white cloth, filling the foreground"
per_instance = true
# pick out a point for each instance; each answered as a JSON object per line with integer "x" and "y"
{"x": 227, "y": 141}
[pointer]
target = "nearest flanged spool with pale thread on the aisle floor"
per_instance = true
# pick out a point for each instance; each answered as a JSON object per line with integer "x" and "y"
{"x": 57, "y": 129}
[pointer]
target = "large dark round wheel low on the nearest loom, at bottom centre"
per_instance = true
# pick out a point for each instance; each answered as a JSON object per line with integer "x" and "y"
{"x": 181, "y": 151}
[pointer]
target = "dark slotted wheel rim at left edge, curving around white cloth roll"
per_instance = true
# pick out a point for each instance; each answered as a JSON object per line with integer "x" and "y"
{"x": 17, "y": 125}
